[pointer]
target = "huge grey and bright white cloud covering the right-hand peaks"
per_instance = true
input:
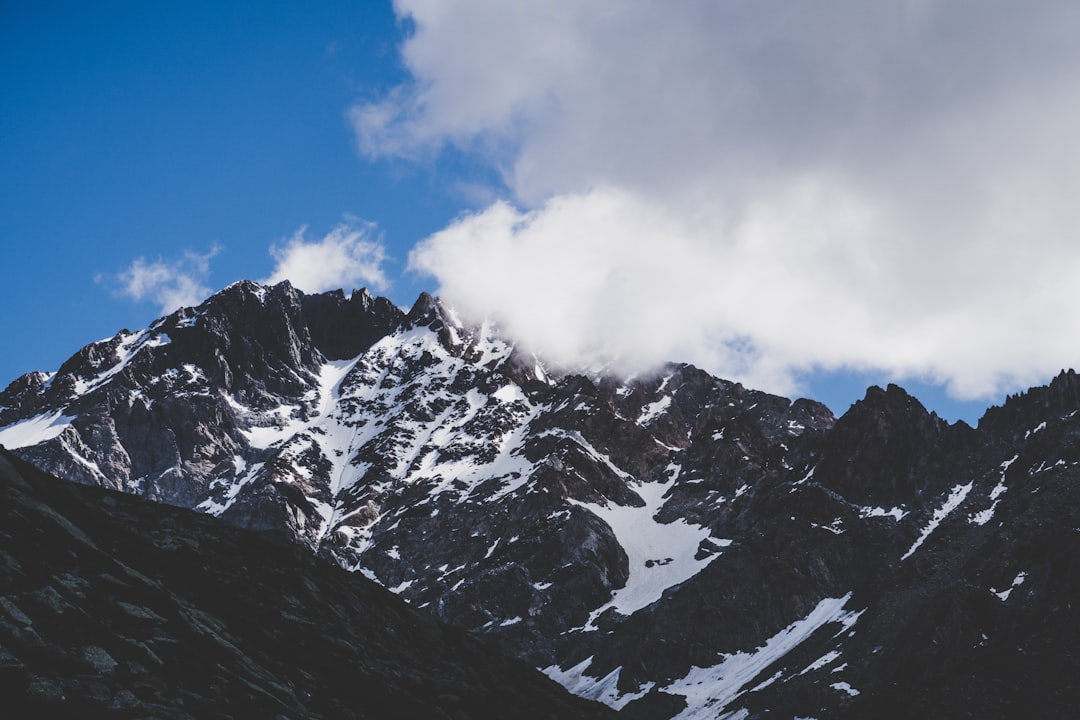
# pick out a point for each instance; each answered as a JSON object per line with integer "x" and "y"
{"x": 765, "y": 189}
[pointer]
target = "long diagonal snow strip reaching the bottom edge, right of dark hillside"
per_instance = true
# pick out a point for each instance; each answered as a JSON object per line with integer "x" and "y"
{"x": 710, "y": 690}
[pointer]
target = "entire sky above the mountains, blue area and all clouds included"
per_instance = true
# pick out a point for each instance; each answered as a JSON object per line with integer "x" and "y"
{"x": 808, "y": 202}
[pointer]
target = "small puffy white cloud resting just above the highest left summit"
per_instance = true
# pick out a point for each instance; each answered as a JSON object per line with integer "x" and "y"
{"x": 348, "y": 256}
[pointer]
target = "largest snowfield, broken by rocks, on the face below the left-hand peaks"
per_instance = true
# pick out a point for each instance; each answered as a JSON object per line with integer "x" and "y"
{"x": 369, "y": 404}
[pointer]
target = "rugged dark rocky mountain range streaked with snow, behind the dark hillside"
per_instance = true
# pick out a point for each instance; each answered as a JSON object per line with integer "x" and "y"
{"x": 672, "y": 545}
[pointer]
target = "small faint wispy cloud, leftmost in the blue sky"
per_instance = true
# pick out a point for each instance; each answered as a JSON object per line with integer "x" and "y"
{"x": 172, "y": 284}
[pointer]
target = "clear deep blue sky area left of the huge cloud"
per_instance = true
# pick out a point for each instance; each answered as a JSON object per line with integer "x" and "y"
{"x": 146, "y": 130}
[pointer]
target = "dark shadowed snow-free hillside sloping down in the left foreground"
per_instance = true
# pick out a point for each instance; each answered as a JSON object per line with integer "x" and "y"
{"x": 112, "y": 606}
